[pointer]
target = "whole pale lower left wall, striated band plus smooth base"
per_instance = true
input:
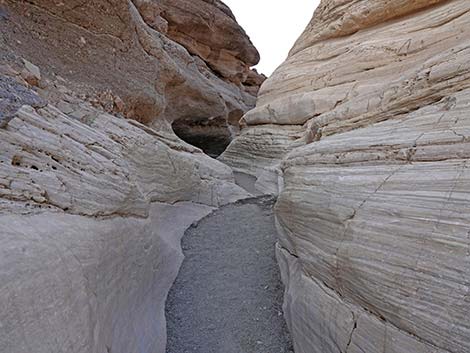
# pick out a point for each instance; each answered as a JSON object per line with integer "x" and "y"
{"x": 91, "y": 213}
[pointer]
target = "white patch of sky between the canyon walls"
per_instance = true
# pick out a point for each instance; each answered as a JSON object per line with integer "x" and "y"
{"x": 273, "y": 26}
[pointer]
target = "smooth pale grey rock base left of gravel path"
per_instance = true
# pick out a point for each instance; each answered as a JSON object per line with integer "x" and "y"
{"x": 79, "y": 284}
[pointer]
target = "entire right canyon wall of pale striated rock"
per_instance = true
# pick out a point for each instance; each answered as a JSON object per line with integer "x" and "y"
{"x": 365, "y": 131}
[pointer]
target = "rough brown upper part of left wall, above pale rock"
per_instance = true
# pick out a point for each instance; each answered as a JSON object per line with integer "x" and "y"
{"x": 127, "y": 50}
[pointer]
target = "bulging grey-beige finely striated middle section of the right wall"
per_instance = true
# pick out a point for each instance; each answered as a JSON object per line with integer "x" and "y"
{"x": 387, "y": 225}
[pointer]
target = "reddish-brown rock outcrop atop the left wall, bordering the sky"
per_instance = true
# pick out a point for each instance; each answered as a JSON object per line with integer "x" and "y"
{"x": 208, "y": 29}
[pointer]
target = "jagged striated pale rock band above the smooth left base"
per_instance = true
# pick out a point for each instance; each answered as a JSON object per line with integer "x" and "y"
{"x": 105, "y": 167}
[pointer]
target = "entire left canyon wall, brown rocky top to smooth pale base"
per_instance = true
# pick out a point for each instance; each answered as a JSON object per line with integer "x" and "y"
{"x": 96, "y": 190}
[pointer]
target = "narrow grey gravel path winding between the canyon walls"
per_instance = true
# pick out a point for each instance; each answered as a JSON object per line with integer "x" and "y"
{"x": 228, "y": 295}
